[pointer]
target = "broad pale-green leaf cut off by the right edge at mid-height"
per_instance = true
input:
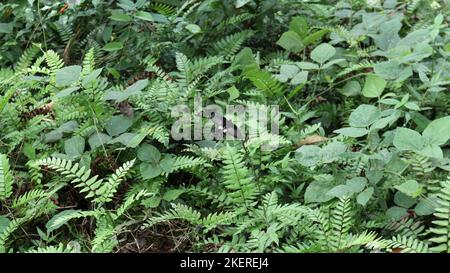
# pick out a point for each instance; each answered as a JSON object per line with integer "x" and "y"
{"x": 437, "y": 132}
